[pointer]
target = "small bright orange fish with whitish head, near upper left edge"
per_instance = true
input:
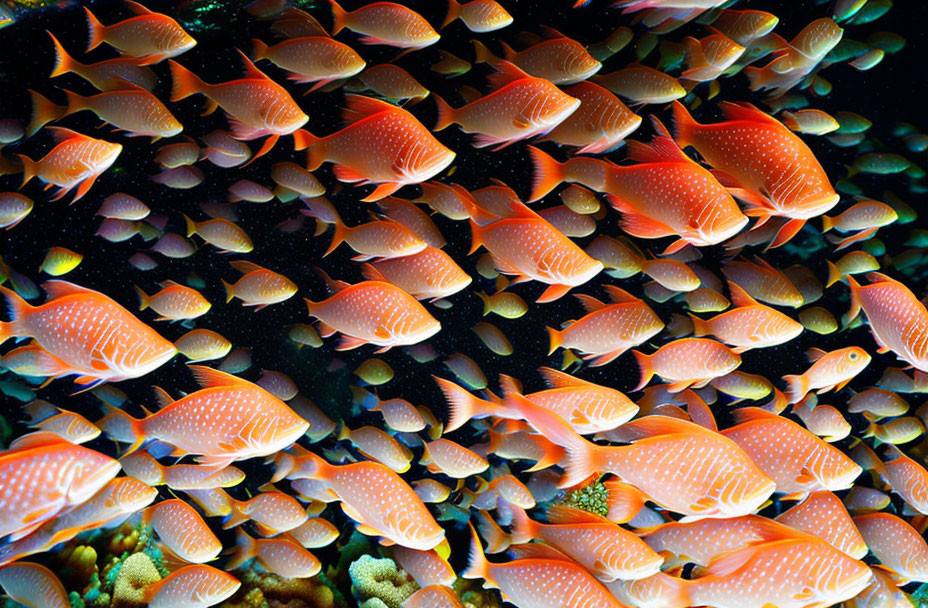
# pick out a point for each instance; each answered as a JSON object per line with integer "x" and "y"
{"x": 77, "y": 161}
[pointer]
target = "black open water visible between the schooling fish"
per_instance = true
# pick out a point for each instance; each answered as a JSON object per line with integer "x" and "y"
{"x": 894, "y": 91}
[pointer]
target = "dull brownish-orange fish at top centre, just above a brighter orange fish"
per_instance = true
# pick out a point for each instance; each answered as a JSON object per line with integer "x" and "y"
{"x": 558, "y": 58}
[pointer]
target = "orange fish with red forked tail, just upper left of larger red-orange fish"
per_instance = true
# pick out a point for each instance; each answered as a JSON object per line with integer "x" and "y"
{"x": 256, "y": 105}
